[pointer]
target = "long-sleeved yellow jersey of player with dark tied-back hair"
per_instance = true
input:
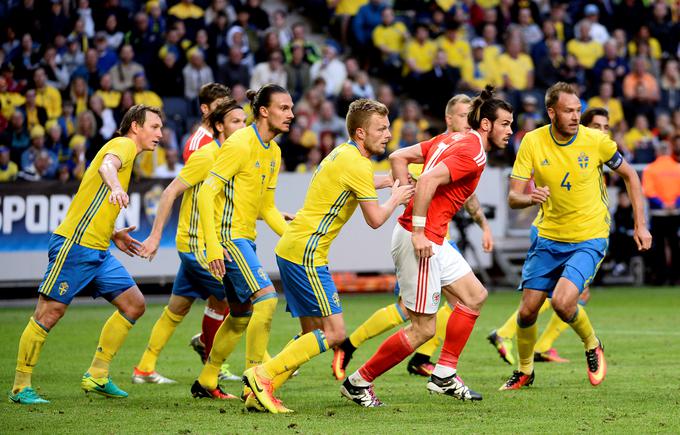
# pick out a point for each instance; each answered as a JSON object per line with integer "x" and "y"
{"x": 245, "y": 168}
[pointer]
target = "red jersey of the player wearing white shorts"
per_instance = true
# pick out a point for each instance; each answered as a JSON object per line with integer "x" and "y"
{"x": 464, "y": 156}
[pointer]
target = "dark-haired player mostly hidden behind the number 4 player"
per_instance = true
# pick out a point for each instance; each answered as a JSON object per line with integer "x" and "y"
{"x": 501, "y": 339}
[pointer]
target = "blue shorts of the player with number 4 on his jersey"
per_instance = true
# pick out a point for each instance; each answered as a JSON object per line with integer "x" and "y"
{"x": 548, "y": 260}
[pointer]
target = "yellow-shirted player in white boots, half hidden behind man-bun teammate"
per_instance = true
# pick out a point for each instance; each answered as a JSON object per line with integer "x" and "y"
{"x": 194, "y": 279}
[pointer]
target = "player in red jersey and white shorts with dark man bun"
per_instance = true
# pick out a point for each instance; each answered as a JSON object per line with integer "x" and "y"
{"x": 426, "y": 266}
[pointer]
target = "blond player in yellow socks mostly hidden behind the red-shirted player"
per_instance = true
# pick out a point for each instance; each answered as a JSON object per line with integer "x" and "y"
{"x": 395, "y": 314}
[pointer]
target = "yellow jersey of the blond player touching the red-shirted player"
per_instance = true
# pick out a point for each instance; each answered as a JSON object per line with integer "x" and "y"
{"x": 343, "y": 178}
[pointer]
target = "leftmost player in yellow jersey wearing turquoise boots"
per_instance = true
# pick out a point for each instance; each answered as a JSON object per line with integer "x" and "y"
{"x": 79, "y": 257}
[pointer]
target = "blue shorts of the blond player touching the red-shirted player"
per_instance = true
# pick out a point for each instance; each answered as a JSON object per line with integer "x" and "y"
{"x": 310, "y": 291}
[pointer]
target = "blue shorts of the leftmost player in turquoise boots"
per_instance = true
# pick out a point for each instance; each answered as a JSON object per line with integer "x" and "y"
{"x": 74, "y": 267}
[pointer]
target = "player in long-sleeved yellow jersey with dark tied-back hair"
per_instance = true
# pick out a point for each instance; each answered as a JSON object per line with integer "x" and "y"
{"x": 244, "y": 175}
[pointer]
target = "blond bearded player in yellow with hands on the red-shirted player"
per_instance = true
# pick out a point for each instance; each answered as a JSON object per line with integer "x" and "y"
{"x": 343, "y": 180}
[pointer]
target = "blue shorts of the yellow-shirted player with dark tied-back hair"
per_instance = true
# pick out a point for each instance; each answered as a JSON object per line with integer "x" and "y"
{"x": 244, "y": 270}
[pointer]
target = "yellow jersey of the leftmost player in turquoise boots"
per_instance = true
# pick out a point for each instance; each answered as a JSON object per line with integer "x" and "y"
{"x": 90, "y": 218}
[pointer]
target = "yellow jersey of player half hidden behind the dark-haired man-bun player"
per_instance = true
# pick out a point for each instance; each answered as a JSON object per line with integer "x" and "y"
{"x": 189, "y": 236}
